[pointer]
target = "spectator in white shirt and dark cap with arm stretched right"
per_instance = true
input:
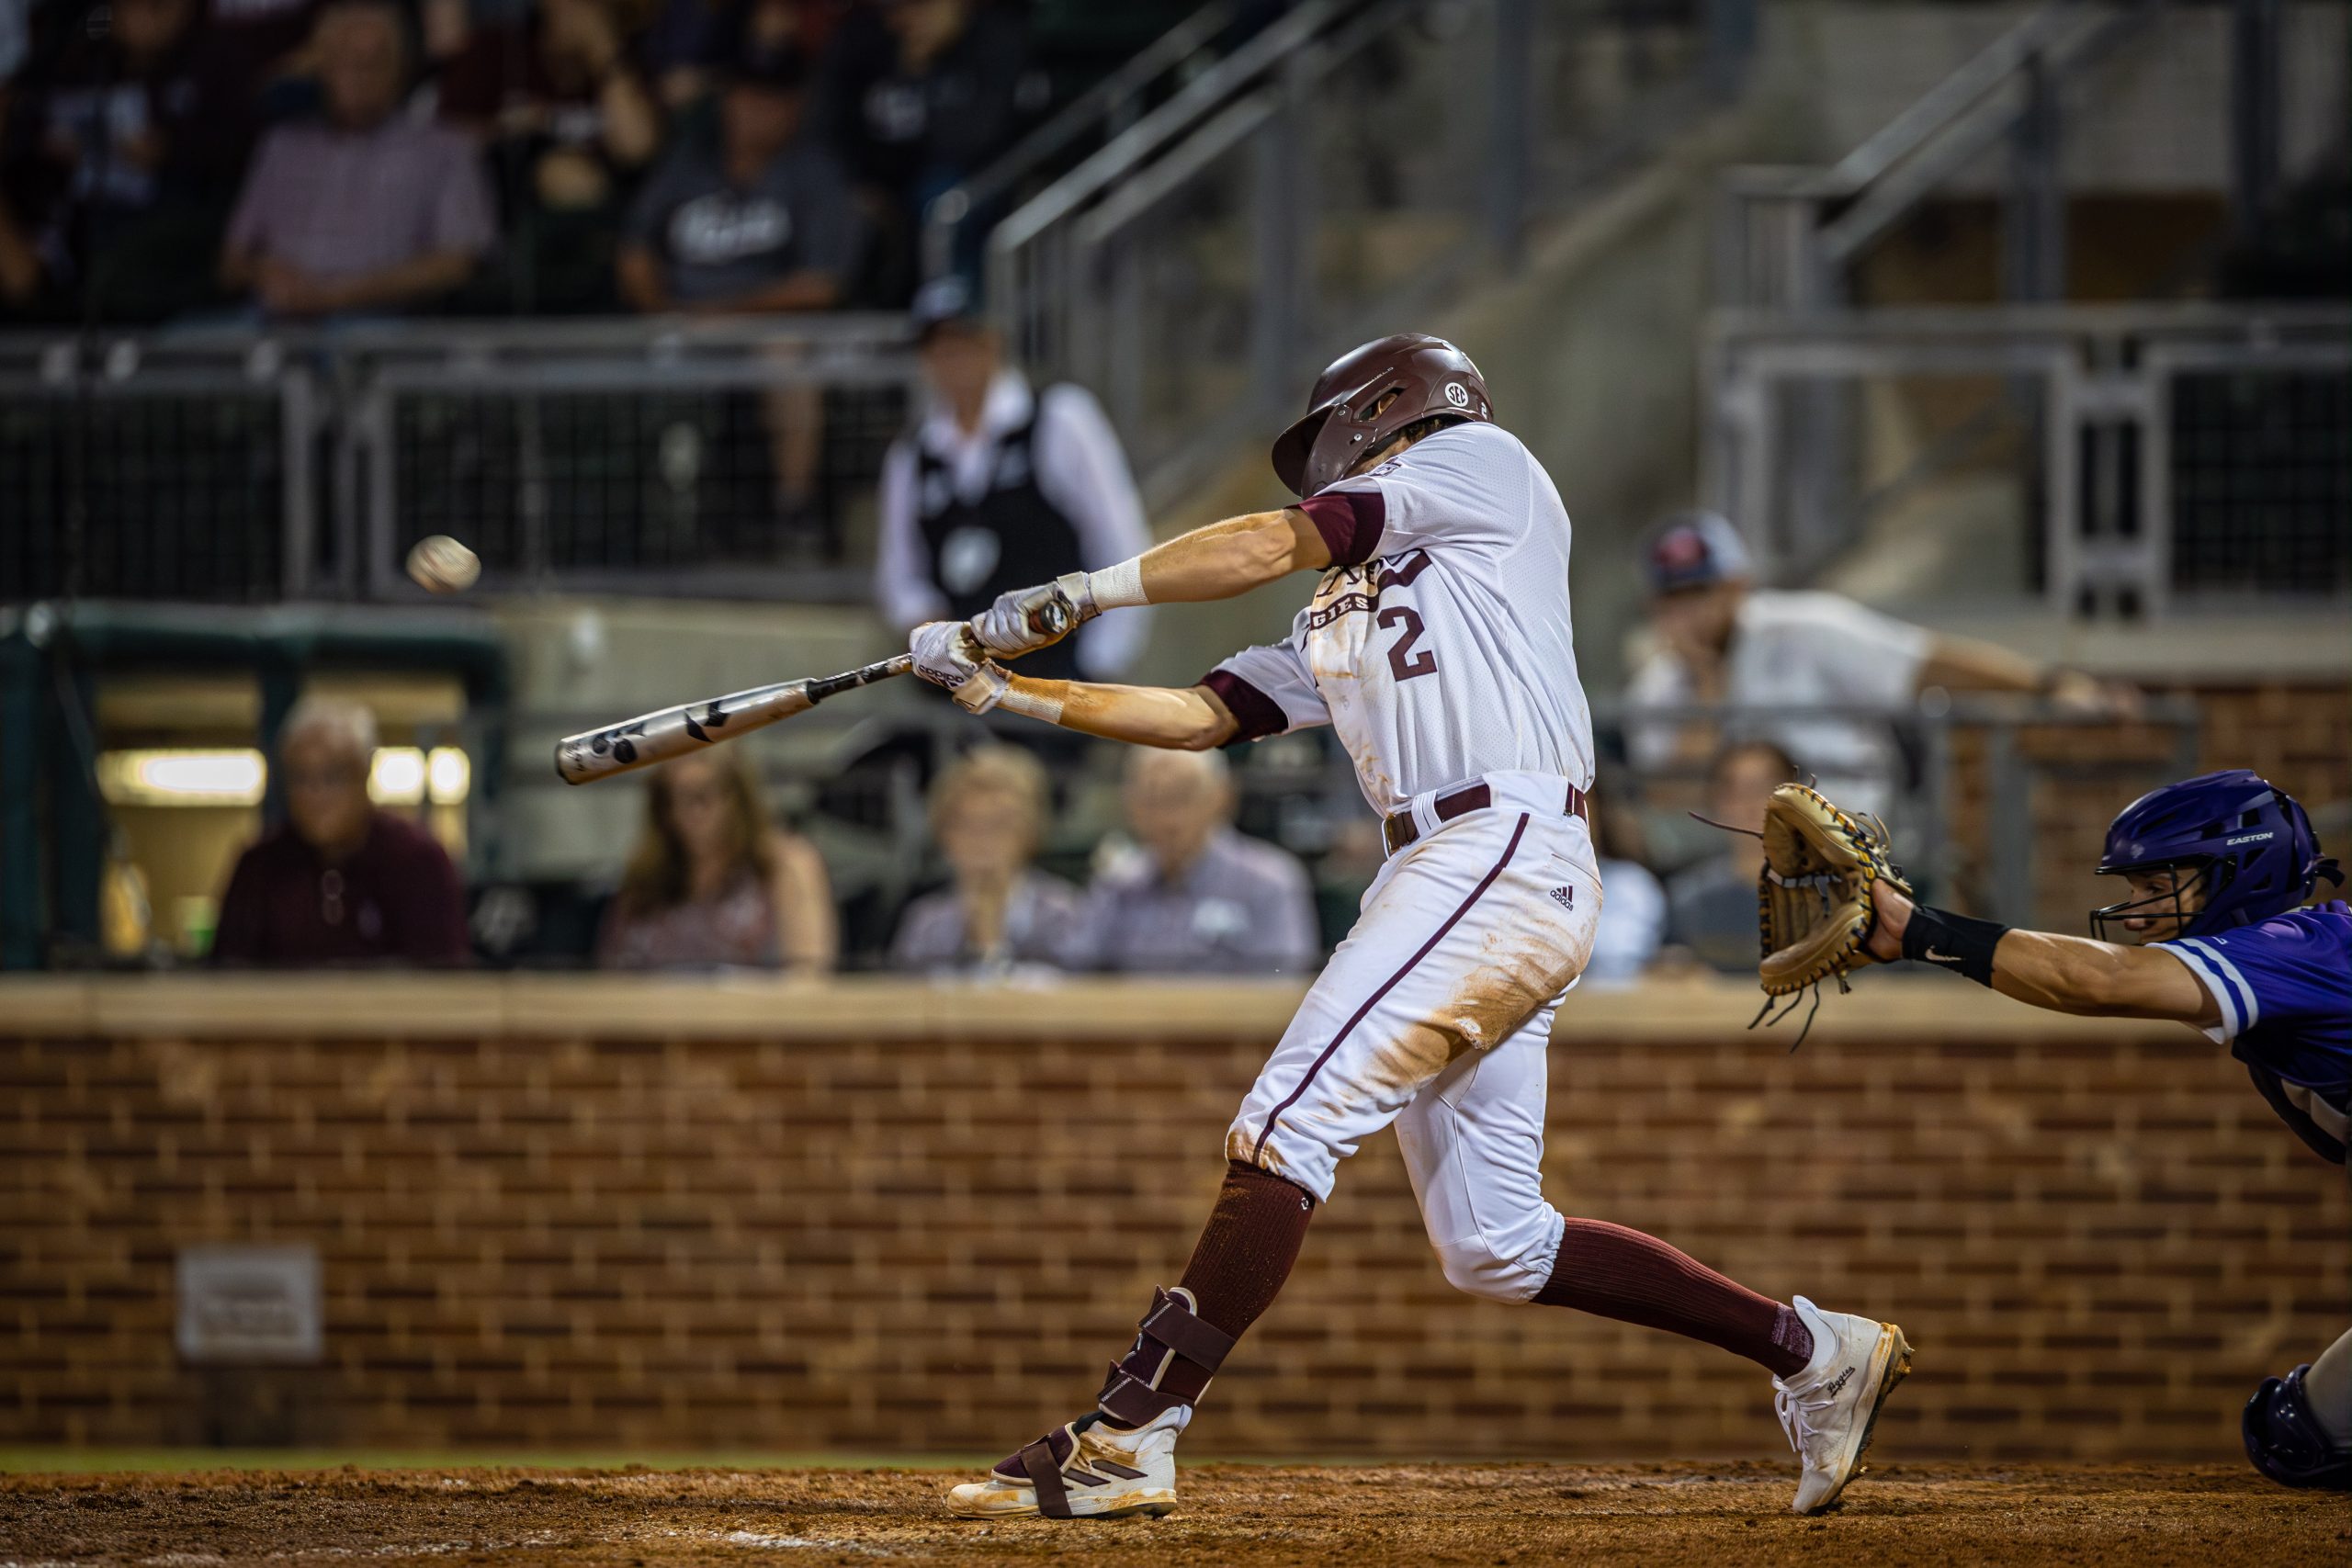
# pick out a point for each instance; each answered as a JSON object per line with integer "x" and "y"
{"x": 1723, "y": 641}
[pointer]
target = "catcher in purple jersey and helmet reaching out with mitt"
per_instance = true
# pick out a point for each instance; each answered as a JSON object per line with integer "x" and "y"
{"x": 2217, "y": 934}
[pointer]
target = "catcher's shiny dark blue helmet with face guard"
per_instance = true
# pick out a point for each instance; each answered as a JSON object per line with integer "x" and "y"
{"x": 2250, "y": 847}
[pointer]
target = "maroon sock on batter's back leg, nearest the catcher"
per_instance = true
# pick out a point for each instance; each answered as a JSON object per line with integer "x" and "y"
{"x": 1638, "y": 1280}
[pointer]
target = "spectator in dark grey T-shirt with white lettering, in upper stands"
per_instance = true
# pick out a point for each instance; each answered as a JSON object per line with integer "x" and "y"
{"x": 754, "y": 222}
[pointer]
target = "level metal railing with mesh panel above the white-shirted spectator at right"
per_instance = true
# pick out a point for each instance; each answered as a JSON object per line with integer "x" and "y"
{"x": 2141, "y": 455}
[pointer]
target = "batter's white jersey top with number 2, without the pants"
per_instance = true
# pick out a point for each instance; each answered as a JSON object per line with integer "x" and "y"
{"x": 1438, "y": 645}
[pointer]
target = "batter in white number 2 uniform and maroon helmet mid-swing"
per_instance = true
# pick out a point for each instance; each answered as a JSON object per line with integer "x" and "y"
{"x": 1438, "y": 645}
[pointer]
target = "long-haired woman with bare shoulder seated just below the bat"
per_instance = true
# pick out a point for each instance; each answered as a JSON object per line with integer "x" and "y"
{"x": 711, "y": 885}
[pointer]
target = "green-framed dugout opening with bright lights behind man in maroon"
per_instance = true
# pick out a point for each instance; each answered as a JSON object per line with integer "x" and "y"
{"x": 91, "y": 683}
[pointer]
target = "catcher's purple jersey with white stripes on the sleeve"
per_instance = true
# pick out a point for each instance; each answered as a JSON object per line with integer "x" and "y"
{"x": 2285, "y": 991}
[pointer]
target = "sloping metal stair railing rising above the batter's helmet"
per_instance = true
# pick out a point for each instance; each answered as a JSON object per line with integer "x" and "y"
{"x": 1316, "y": 185}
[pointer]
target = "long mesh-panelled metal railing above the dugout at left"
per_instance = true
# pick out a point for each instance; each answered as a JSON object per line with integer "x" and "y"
{"x": 636, "y": 455}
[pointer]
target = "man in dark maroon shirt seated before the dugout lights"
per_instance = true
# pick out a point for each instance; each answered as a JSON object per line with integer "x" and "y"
{"x": 340, "y": 883}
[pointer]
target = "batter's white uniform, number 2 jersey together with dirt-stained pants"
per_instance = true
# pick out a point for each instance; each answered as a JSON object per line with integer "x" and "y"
{"x": 1441, "y": 652}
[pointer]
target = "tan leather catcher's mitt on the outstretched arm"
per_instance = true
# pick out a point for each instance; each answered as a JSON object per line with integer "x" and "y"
{"x": 1815, "y": 897}
